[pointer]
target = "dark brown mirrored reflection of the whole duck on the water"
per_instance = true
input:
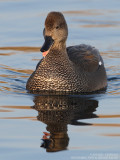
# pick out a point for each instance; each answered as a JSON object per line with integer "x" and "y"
{"x": 59, "y": 111}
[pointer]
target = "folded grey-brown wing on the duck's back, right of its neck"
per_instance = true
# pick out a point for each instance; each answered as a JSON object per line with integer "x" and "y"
{"x": 85, "y": 57}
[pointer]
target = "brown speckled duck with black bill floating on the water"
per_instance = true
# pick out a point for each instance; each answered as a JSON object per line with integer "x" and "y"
{"x": 78, "y": 68}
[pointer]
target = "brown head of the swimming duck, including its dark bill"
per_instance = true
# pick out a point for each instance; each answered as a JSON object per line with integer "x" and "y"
{"x": 55, "y": 32}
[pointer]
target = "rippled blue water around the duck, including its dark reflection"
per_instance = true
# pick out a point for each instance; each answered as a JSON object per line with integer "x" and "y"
{"x": 81, "y": 127}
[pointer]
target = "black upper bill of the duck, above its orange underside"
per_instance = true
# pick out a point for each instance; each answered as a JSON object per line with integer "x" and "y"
{"x": 47, "y": 44}
